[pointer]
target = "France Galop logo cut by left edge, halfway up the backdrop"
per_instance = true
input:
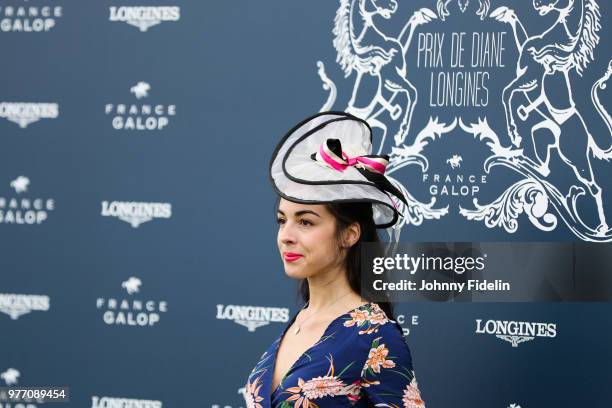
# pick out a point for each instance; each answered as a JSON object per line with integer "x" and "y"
{"x": 24, "y": 210}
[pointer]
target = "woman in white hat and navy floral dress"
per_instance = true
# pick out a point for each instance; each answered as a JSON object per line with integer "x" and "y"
{"x": 340, "y": 348}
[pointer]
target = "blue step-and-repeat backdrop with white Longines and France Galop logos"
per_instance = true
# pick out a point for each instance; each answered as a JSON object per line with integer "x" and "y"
{"x": 139, "y": 265}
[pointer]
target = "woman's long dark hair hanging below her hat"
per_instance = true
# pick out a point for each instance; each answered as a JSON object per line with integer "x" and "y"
{"x": 347, "y": 213}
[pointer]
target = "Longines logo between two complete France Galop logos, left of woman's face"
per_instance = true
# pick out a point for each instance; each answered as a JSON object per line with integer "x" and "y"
{"x": 135, "y": 213}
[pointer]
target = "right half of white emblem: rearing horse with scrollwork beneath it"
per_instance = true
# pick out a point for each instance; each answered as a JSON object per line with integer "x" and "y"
{"x": 552, "y": 54}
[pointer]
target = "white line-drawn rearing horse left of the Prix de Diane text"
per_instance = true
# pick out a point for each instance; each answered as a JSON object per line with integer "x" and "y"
{"x": 362, "y": 47}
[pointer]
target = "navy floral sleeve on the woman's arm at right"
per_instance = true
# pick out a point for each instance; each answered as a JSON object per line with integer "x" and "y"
{"x": 387, "y": 377}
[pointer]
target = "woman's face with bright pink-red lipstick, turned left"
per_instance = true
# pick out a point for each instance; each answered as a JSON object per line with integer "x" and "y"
{"x": 306, "y": 239}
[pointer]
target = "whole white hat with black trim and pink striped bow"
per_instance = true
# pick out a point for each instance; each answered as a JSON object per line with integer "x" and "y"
{"x": 327, "y": 158}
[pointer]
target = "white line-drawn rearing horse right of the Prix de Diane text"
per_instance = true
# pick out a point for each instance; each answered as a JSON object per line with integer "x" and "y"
{"x": 546, "y": 60}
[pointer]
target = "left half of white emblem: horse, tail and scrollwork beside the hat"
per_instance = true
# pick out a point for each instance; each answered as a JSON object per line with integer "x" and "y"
{"x": 365, "y": 49}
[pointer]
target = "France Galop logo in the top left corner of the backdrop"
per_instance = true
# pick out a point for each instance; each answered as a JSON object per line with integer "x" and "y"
{"x": 30, "y": 19}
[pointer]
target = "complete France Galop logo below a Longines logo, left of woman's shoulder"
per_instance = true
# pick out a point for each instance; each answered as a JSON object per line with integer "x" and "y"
{"x": 131, "y": 312}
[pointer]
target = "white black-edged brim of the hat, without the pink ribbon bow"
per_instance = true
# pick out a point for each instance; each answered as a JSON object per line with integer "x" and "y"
{"x": 310, "y": 182}
